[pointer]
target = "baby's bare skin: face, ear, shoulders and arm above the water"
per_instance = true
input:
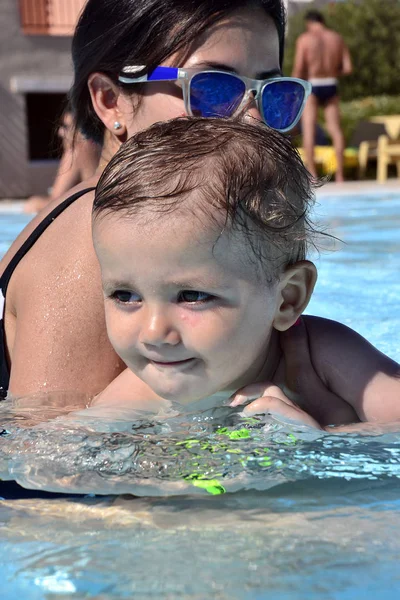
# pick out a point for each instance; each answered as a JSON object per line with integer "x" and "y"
{"x": 196, "y": 320}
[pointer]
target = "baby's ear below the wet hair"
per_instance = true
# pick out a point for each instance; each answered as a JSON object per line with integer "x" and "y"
{"x": 295, "y": 287}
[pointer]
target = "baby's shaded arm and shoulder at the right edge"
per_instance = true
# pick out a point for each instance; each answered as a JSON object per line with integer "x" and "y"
{"x": 349, "y": 366}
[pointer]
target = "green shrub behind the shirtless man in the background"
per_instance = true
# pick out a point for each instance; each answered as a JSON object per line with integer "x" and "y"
{"x": 371, "y": 29}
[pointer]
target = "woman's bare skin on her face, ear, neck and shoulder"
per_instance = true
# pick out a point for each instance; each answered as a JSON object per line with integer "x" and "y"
{"x": 81, "y": 334}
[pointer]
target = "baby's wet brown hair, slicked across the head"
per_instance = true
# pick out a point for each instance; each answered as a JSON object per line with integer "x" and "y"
{"x": 242, "y": 175}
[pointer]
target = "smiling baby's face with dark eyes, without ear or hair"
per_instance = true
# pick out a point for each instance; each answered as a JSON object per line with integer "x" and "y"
{"x": 184, "y": 308}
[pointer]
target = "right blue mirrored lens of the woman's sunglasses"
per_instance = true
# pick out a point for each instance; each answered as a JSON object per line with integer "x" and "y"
{"x": 282, "y": 102}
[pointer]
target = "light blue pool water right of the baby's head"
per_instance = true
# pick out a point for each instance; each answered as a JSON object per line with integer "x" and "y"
{"x": 359, "y": 282}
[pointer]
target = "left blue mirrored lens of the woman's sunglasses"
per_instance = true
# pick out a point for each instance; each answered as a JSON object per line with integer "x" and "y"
{"x": 215, "y": 94}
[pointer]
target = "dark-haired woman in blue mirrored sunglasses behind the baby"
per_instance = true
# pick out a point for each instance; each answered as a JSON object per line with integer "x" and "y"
{"x": 54, "y": 329}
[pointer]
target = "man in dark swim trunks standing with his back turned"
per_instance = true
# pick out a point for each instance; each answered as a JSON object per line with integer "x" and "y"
{"x": 322, "y": 57}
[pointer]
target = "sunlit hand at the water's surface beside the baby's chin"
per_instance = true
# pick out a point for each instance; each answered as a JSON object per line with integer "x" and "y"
{"x": 269, "y": 399}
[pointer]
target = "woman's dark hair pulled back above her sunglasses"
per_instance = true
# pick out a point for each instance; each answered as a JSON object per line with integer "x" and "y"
{"x": 111, "y": 34}
